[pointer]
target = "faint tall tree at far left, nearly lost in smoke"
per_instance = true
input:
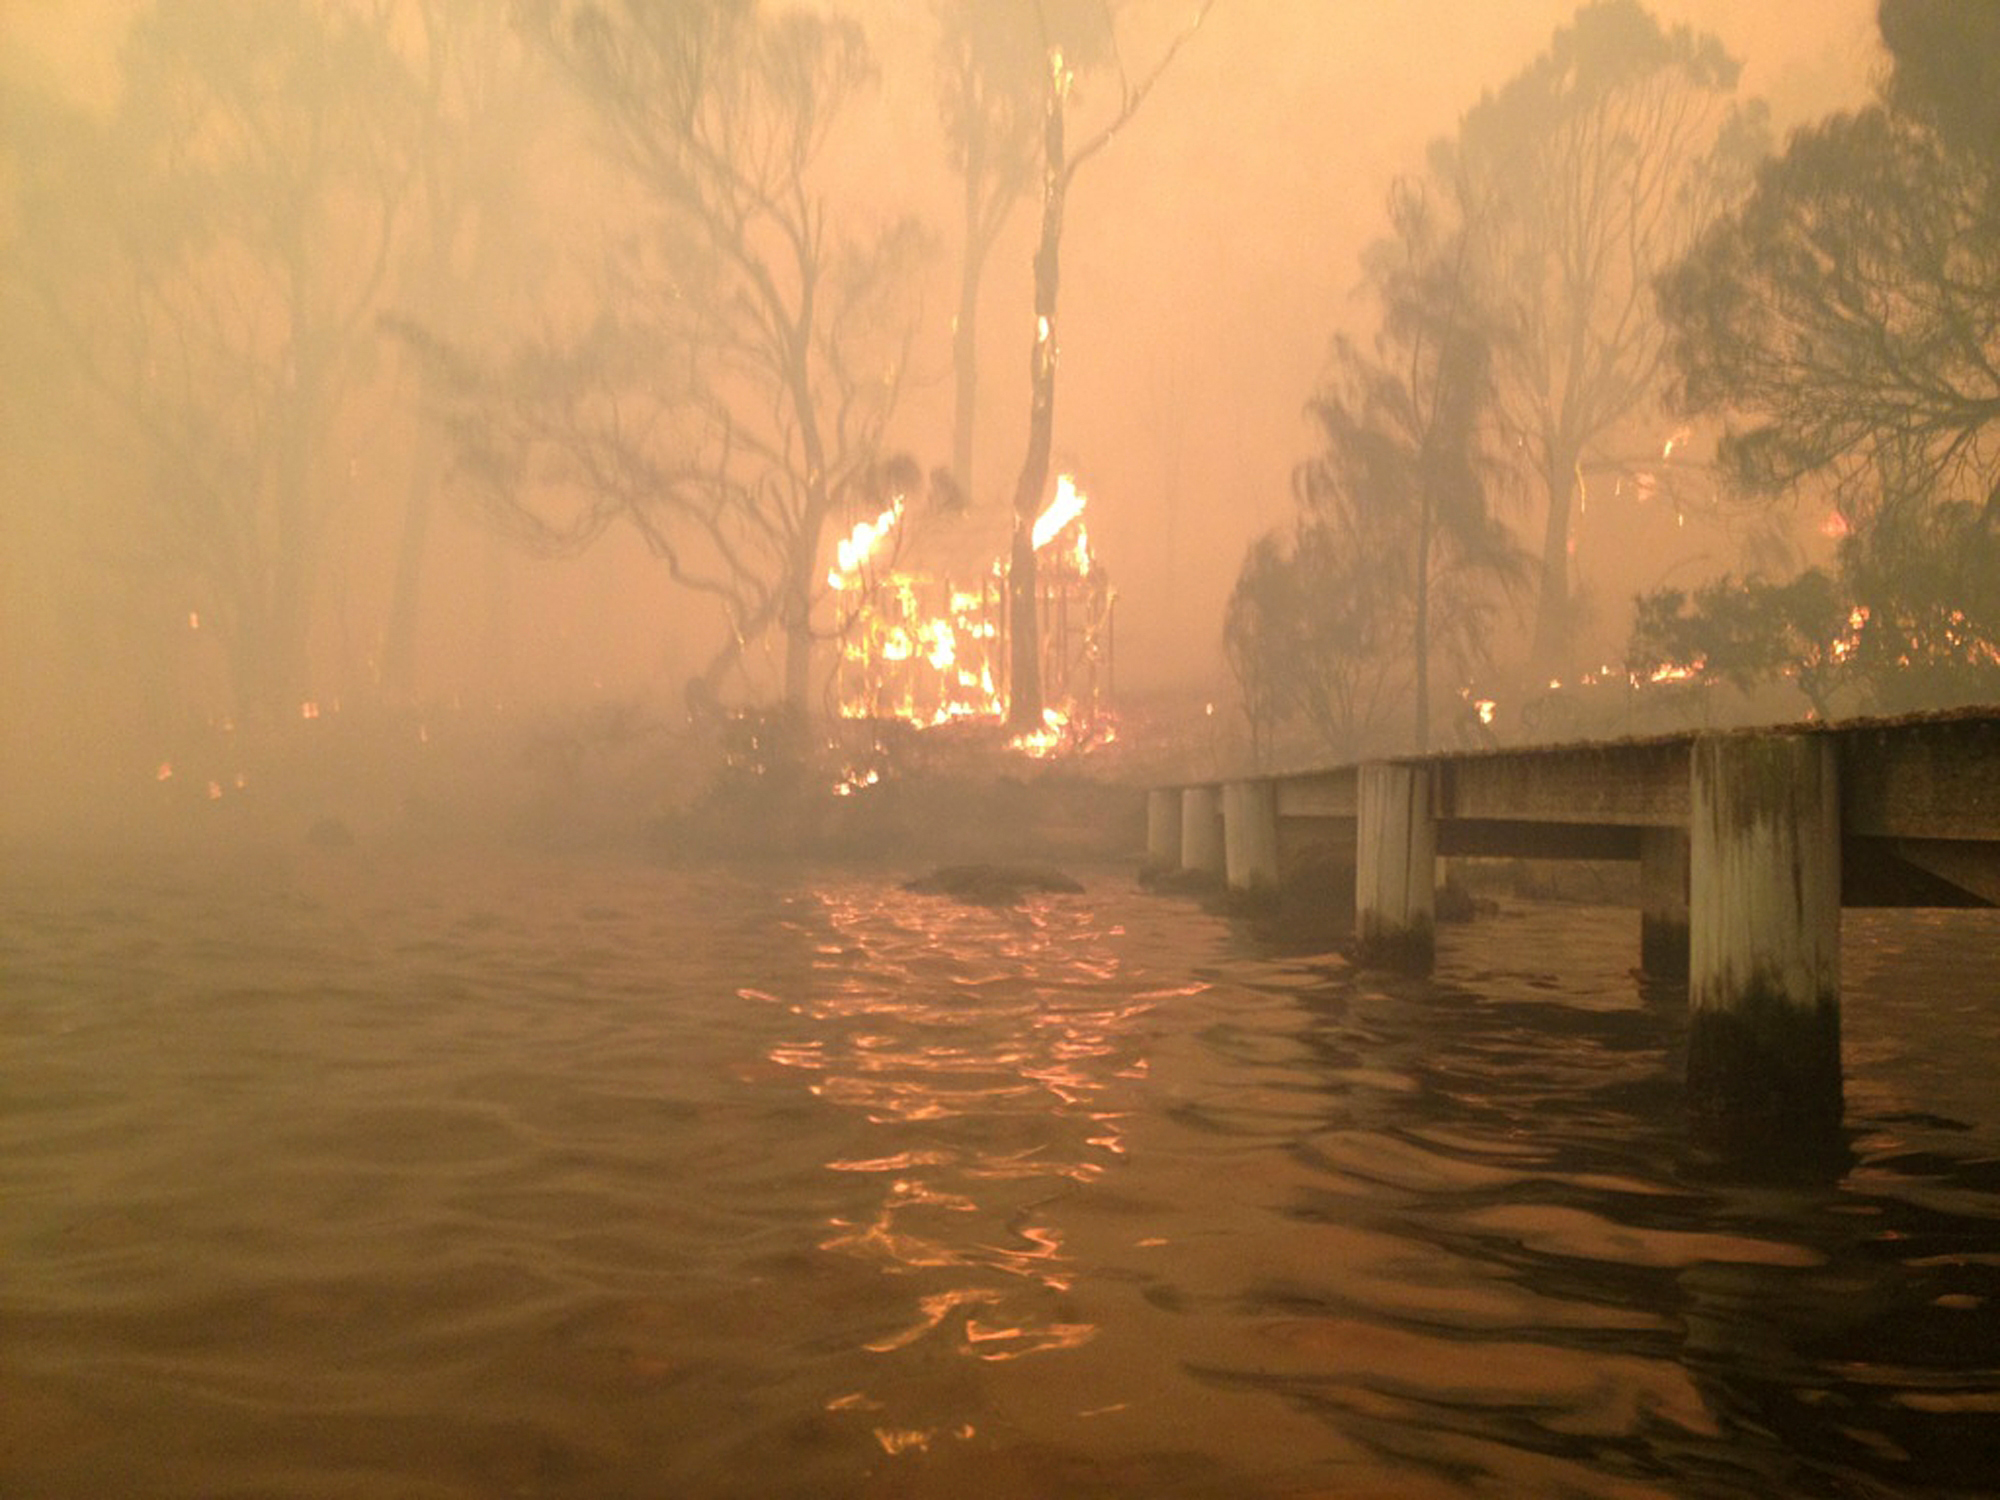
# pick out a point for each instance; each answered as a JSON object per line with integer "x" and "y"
{"x": 215, "y": 255}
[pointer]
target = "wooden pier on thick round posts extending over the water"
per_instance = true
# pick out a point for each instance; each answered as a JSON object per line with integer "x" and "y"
{"x": 1749, "y": 845}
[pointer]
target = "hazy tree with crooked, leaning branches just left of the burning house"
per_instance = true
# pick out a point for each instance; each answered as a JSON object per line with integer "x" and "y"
{"x": 747, "y": 351}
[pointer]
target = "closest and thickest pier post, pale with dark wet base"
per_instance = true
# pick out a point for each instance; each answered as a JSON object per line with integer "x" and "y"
{"x": 1765, "y": 933}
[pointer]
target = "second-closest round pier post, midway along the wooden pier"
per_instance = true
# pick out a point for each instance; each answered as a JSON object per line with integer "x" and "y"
{"x": 1397, "y": 867}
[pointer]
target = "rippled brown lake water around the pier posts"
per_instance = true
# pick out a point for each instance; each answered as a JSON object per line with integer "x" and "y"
{"x": 335, "y": 1175}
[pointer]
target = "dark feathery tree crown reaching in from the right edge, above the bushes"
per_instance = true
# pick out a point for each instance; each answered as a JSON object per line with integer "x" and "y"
{"x": 1845, "y": 321}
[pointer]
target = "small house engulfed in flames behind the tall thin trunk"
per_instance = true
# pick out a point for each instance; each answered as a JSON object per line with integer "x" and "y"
{"x": 921, "y": 601}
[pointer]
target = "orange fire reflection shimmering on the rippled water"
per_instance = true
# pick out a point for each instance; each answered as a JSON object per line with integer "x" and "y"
{"x": 993, "y": 1081}
